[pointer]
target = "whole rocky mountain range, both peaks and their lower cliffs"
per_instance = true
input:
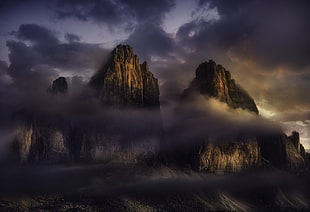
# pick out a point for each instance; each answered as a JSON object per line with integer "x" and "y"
{"x": 128, "y": 125}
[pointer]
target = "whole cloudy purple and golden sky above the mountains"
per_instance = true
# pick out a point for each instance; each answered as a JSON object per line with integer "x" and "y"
{"x": 264, "y": 44}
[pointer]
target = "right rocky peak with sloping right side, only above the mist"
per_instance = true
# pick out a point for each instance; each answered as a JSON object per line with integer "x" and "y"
{"x": 213, "y": 80}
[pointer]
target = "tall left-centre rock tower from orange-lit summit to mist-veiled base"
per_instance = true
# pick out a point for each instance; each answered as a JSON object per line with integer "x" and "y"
{"x": 124, "y": 84}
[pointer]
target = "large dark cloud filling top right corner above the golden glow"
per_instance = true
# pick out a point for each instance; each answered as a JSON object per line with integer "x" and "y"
{"x": 269, "y": 33}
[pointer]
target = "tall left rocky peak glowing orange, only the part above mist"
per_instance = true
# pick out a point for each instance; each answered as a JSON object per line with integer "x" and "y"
{"x": 124, "y": 82}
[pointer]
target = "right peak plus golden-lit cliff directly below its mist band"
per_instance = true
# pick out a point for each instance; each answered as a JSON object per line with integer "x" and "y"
{"x": 231, "y": 153}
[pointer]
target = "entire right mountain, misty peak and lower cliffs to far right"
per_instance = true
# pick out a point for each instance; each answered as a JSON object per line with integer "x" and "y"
{"x": 238, "y": 152}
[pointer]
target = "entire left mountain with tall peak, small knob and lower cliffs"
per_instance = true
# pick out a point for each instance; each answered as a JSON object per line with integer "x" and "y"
{"x": 121, "y": 133}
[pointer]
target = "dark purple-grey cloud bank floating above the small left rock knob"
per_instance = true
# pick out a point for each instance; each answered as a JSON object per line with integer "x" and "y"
{"x": 47, "y": 56}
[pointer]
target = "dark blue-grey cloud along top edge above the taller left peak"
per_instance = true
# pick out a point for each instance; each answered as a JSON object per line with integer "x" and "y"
{"x": 115, "y": 13}
